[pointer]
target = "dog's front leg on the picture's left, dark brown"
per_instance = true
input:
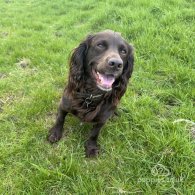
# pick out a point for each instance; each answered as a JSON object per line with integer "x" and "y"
{"x": 55, "y": 133}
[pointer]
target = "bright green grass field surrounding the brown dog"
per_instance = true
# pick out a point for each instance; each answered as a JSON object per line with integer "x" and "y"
{"x": 143, "y": 151}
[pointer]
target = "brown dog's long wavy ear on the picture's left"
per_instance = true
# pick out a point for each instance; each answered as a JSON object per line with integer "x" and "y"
{"x": 76, "y": 74}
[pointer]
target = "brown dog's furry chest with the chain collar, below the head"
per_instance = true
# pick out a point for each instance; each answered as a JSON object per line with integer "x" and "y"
{"x": 89, "y": 108}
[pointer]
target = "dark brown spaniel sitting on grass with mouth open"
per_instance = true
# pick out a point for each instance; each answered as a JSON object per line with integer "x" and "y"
{"x": 100, "y": 69}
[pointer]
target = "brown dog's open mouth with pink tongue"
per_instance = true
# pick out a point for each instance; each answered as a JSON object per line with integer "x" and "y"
{"x": 104, "y": 81}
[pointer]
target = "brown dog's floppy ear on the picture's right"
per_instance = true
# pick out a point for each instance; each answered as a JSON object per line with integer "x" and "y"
{"x": 127, "y": 72}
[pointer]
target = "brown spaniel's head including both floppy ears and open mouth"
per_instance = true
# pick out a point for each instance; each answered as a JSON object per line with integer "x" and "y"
{"x": 106, "y": 58}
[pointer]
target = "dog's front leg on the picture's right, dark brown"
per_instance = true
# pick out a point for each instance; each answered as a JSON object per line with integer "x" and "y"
{"x": 91, "y": 146}
